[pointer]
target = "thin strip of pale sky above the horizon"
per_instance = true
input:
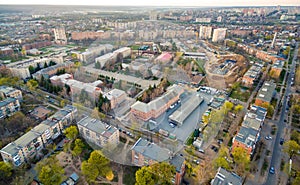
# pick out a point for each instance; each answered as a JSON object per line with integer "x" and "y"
{"x": 159, "y": 2}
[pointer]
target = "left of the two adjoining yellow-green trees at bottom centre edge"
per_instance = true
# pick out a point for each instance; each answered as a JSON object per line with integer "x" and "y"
{"x": 144, "y": 177}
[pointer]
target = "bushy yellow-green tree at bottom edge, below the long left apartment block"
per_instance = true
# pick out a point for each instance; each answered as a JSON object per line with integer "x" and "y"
{"x": 49, "y": 171}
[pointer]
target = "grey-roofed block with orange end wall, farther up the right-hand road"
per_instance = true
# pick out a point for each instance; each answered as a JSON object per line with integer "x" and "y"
{"x": 265, "y": 94}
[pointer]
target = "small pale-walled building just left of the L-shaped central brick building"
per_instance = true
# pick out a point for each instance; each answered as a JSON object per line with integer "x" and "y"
{"x": 116, "y": 97}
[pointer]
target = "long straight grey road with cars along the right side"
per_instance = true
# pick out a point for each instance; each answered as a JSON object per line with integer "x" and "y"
{"x": 276, "y": 155}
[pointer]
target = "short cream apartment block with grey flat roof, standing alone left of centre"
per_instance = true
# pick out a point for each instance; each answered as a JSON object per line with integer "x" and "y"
{"x": 98, "y": 132}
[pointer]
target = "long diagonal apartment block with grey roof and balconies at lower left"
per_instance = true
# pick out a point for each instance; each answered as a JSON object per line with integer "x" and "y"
{"x": 27, "y": 146}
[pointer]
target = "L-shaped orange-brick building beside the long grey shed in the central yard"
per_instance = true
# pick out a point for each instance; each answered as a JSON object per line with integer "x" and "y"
{"x": 158, "y": 106}
